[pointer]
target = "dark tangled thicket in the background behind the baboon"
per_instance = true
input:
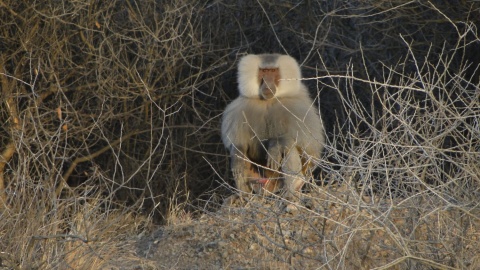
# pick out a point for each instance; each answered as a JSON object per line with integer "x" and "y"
{"x": 124, "y": 98}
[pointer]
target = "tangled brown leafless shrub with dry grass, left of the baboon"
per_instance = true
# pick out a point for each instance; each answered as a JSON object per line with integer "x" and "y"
{"x": 102, "y": 101}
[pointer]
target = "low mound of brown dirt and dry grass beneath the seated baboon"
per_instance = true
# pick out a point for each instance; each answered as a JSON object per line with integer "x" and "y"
{"x": 335, "y": 229}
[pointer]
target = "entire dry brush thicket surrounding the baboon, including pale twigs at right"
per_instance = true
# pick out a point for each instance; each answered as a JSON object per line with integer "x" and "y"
{"x": 110, "y": 116}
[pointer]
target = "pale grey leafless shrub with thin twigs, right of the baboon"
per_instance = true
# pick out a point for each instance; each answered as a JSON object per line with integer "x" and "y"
{"x": 415, "y": 168}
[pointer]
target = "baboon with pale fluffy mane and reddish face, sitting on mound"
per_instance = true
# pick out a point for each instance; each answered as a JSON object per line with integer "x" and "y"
{"x": 273, "y": 130}
